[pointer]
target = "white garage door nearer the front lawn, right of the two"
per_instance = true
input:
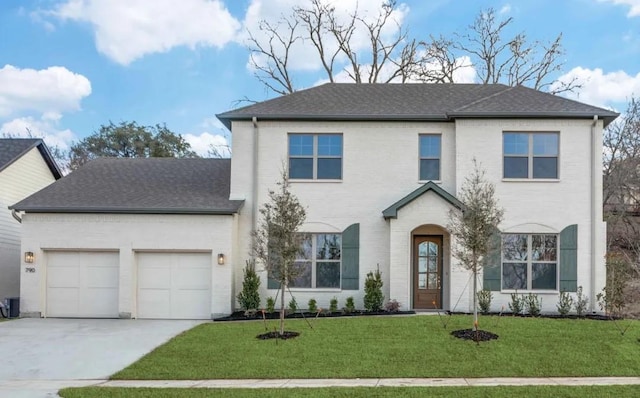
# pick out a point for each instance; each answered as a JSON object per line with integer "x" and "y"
{"x": 174, "y": 285}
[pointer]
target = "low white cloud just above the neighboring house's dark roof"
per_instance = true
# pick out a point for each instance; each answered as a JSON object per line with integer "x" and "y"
{"x": 43, "y": 128}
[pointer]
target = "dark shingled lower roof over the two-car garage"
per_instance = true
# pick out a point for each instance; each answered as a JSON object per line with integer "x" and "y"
{"x": 141, "y": 185}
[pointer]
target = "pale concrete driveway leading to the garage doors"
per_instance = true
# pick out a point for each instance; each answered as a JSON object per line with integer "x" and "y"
{"x": 34, "y": 350}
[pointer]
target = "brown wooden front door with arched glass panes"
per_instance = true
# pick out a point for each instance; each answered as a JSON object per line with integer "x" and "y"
{"x": 427, "y": 272}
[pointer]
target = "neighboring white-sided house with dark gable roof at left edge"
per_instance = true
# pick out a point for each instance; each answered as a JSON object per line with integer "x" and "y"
{"x": 26, "y": 166}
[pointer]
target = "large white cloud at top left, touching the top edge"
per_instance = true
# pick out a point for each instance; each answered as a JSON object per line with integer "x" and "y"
{"x": 126, "y": 30}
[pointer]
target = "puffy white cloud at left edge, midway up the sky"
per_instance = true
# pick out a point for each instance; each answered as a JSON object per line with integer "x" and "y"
{"x": 50, "y": 91}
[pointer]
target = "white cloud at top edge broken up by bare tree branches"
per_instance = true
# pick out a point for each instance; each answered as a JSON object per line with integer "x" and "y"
{"x": 303, "y": 55}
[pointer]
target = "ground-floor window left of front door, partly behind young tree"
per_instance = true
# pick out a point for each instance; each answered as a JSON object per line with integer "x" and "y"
{"x": 319, "y": 261}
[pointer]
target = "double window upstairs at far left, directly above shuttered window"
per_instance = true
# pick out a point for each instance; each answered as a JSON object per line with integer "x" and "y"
{"x": 315, "y": 156}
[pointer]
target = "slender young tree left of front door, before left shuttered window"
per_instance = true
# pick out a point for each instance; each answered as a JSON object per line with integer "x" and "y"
{"x": 276, "y": 241}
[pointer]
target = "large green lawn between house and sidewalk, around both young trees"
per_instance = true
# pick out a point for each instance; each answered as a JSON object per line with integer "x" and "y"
{"x": 416, "y": 346}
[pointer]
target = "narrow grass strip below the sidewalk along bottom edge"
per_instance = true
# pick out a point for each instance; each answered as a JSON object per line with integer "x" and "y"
{"x": 364, "y": 392}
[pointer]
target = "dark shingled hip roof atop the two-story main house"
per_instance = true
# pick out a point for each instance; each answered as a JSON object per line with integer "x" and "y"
{"x": 433, "y": 102}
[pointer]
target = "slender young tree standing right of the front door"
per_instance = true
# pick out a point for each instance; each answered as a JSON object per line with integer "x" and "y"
{"x": 474, "y": 227}
